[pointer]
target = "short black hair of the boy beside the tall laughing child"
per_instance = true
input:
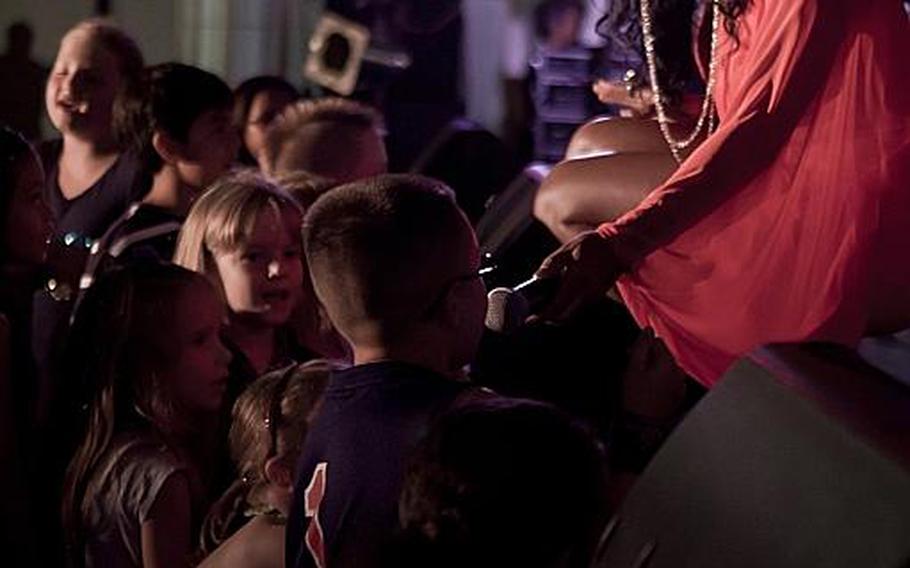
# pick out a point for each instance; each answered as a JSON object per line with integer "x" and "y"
{"x": 173, "y": 96}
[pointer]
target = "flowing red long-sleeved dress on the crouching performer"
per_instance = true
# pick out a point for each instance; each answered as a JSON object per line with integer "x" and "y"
{"x": 792, "y": 221}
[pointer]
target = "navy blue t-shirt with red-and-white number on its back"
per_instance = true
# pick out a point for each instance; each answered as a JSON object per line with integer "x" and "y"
{"x": 353, "y": 461}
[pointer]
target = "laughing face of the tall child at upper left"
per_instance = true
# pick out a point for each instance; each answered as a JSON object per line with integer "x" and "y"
{"x": 82, "y": 86}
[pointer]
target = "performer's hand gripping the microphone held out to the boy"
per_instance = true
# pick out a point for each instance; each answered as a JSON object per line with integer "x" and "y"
{"x": 586, "y": 266}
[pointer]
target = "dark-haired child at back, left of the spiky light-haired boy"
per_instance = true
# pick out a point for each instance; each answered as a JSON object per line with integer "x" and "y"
{"x": 257, "y": 102}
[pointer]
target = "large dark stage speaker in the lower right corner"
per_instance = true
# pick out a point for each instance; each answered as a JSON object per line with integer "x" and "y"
{"x": 799, "y": 458}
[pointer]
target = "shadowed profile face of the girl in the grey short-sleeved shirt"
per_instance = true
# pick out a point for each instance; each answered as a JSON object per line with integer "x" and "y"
{"x": 199, "y": 376}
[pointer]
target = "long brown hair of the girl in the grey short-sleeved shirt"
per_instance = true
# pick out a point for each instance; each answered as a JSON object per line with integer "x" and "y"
{"x": 118, "y": 341}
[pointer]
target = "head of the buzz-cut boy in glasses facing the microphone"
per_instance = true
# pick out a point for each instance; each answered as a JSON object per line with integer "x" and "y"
{"x": 381, "y": 250}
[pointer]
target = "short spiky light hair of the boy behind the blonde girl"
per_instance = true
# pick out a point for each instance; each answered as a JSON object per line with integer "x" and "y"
{"x": 323, "y": 136}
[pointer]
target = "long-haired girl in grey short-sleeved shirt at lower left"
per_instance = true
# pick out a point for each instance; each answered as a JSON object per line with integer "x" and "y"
{"x": 148, "y": 362}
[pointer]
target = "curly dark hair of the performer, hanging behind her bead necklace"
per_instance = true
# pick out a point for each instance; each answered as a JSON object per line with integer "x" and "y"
{"x": 673, "y": 34}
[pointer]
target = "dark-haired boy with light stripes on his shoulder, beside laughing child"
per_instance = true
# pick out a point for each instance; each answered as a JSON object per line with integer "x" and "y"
{"x": 181, "y": 129}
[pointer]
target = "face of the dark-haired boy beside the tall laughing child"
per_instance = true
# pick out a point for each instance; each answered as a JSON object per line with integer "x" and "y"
{"x": 210, "y": 148}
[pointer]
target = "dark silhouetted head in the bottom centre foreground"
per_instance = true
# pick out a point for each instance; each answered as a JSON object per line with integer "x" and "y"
{"x": 503, "y": 482}
